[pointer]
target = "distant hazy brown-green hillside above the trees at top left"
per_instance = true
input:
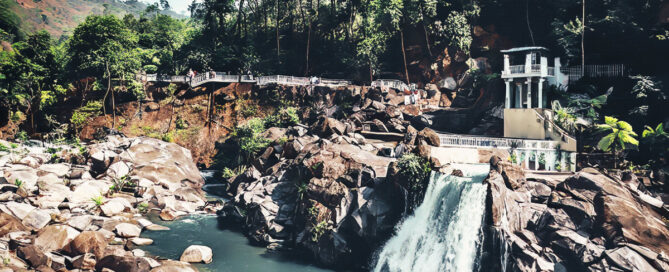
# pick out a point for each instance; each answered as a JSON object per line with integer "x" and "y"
{"x": 59, "y": 17}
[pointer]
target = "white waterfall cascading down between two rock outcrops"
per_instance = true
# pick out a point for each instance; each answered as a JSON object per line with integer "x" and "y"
{"x": 444, "y": 233}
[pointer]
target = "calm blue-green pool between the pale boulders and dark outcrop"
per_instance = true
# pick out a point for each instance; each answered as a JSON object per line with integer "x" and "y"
{"x": 232, "y": 250}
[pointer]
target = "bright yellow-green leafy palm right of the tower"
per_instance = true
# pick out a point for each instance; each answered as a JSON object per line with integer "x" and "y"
{"x": 621, "y": 134}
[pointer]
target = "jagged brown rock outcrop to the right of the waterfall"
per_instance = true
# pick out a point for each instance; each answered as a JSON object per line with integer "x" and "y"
{"x": 586, "y": 222}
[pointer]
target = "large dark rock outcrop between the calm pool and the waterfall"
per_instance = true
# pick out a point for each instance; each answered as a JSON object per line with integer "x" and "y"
{"x": 327, "y": 195}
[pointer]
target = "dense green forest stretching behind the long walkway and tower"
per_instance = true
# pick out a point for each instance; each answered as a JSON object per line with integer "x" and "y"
{"x": 417, "y": 41}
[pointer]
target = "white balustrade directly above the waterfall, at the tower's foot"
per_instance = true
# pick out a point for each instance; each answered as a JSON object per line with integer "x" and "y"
{"x": 503, "y": 143}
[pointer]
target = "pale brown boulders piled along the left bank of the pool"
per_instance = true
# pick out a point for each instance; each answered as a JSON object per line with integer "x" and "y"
{"x": 82, "y": 207}
